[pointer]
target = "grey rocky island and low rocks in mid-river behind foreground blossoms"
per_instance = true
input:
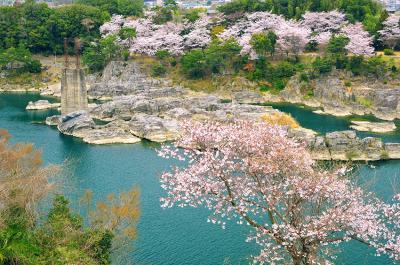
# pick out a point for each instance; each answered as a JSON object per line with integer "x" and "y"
{"x": 137, "y": 107}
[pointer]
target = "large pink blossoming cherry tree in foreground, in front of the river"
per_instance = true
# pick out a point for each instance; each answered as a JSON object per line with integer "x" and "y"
{"x": 251, "y": 173}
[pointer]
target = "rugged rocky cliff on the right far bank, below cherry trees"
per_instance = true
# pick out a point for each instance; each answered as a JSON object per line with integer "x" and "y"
{"x": 331, "y": 94}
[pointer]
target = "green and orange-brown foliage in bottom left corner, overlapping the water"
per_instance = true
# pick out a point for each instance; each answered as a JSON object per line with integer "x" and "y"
{"x": 62, "y": 237}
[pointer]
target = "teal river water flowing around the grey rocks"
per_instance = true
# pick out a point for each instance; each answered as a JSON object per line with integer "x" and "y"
{"x": 173, "y": 236}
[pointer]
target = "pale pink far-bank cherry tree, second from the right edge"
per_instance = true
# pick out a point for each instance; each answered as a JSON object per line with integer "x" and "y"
{"x": 360, "y": 42}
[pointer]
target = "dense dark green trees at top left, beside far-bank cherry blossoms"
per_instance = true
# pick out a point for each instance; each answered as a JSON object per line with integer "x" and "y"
{"x": 42, "y": 29}
